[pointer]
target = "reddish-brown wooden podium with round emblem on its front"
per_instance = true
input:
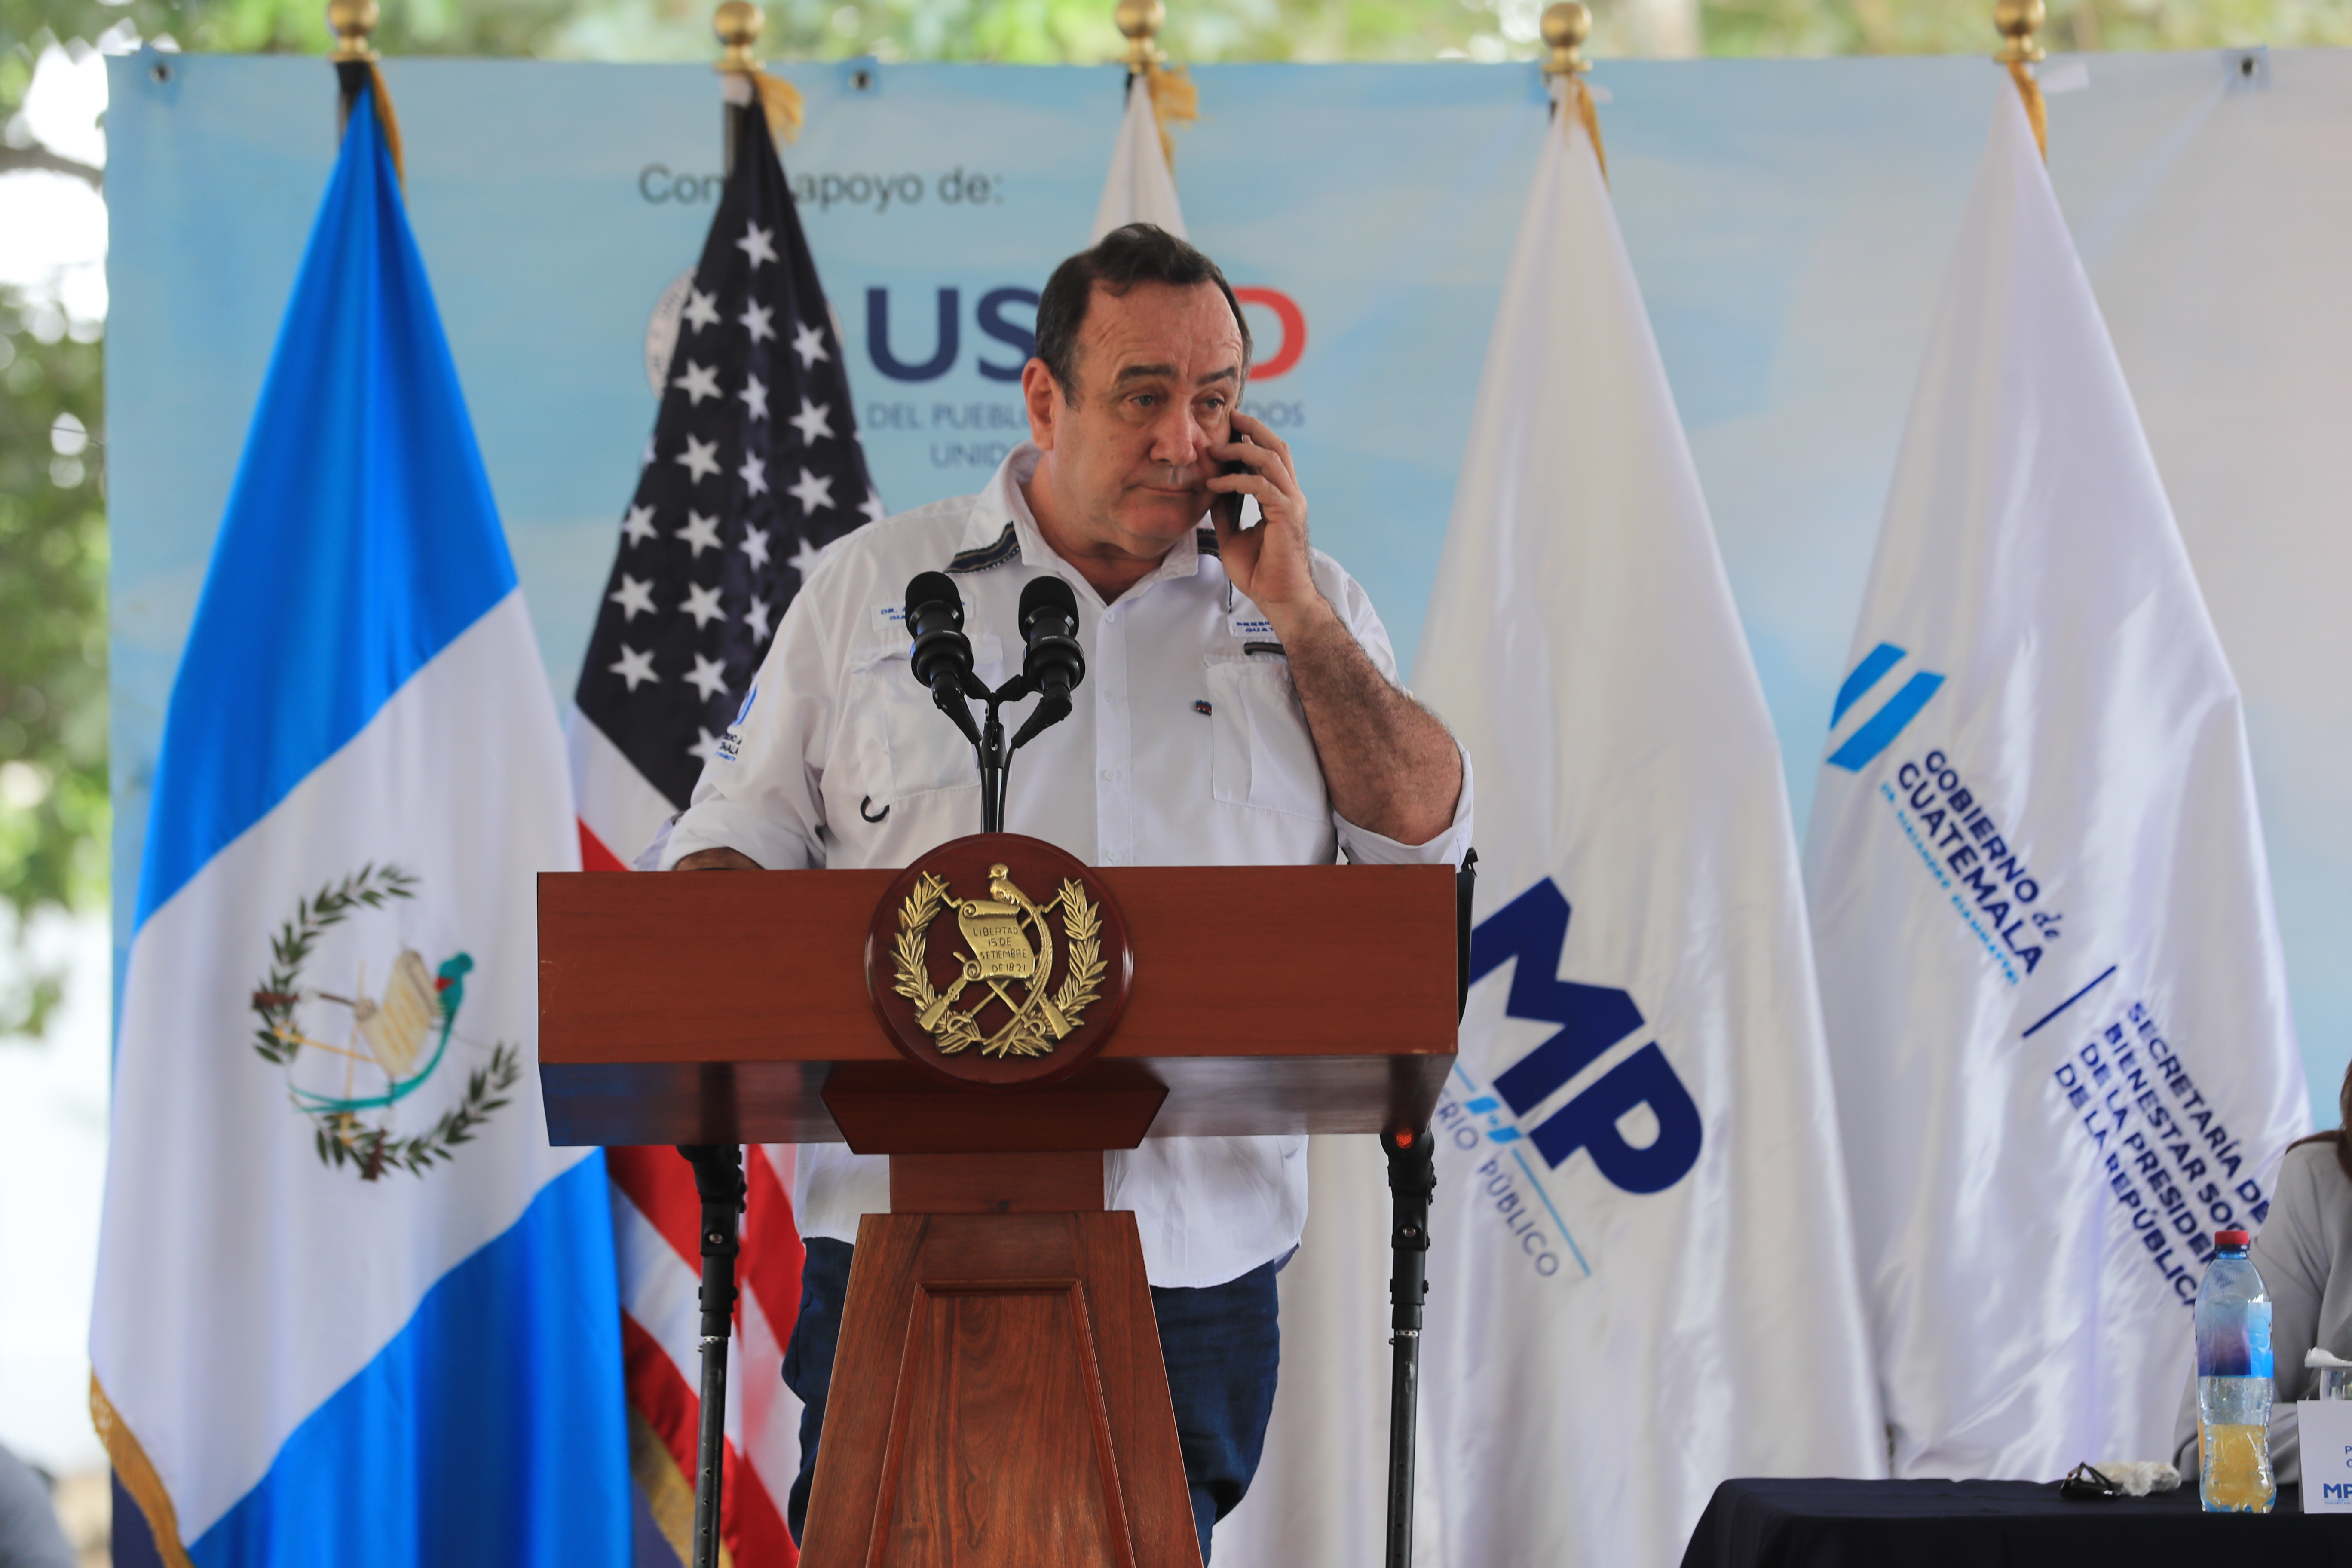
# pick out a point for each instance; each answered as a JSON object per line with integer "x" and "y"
{"x": 998, "y": 1395}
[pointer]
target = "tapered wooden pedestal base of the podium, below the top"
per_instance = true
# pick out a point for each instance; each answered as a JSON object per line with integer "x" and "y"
{"x": 998, "y": 1398}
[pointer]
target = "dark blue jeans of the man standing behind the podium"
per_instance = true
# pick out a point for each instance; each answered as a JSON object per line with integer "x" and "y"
{"x": 1222, "y": 1348}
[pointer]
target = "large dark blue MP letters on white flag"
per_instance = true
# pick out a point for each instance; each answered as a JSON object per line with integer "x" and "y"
{"x": 1532, "y": 932}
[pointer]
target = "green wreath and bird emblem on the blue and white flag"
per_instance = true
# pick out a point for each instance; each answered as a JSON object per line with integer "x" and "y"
{"x": 340, "y": 1137}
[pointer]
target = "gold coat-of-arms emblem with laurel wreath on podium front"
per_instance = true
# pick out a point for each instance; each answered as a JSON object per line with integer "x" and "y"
{"x": 1041, "y": 1019}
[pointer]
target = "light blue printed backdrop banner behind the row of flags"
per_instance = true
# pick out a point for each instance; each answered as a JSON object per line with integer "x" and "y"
{"x": 1789, "y": 225}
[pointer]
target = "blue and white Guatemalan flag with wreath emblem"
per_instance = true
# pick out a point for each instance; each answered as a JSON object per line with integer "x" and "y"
{"x": 352, "y": 1306}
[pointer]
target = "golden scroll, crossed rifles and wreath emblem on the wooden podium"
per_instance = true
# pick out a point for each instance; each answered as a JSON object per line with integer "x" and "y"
{"x": 998, "y": 937}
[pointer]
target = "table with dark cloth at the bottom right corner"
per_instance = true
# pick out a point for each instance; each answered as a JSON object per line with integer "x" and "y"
{"x": 2014, "y": 1525}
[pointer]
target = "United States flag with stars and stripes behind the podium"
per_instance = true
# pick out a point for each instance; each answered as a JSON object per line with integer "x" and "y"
{"x": 751, "y": 471}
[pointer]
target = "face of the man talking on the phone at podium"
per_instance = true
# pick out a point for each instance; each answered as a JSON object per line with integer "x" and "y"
{"x": 1158, "y": 373}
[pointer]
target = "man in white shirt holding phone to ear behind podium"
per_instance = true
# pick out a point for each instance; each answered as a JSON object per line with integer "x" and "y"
{"x": 1241, "y": 709}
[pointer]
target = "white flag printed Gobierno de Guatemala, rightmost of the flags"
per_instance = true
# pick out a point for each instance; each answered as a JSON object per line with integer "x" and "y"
{"x": 2050, "y": 960}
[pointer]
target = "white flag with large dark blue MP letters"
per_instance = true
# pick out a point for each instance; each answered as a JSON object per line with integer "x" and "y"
{"x": 1643, "y": 1273}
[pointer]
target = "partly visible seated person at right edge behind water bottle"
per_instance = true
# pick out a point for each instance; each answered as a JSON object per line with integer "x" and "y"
{"x": 2304, "y": 1254}
